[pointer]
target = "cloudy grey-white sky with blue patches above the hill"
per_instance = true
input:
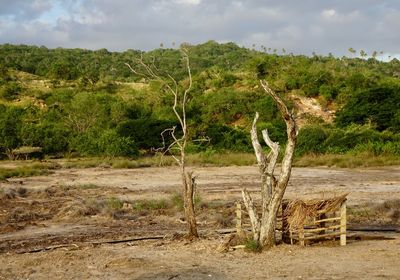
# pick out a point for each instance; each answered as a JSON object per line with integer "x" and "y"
{"x": 322, "y": 26}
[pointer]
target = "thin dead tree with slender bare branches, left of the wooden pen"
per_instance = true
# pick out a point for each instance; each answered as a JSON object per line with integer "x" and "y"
{"x": 179, "y": 143}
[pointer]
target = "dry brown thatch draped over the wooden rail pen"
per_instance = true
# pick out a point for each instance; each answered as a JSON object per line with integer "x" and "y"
{"x": 296, "y": 212}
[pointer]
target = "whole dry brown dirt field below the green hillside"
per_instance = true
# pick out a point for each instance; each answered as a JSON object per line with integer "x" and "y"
{"x": 57, "y": 226}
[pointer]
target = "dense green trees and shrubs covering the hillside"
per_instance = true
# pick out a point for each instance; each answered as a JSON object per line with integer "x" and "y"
{"x": 81, "y": 102}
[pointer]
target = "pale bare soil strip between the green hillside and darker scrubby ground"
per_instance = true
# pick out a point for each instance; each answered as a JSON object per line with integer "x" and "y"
{"x": 226, "y": 182}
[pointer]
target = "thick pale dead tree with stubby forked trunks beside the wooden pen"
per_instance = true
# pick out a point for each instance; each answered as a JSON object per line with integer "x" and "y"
{"x": 272, "y": 188}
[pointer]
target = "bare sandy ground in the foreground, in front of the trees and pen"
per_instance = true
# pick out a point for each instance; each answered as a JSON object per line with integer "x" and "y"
{"x": 199, "y": 260}
